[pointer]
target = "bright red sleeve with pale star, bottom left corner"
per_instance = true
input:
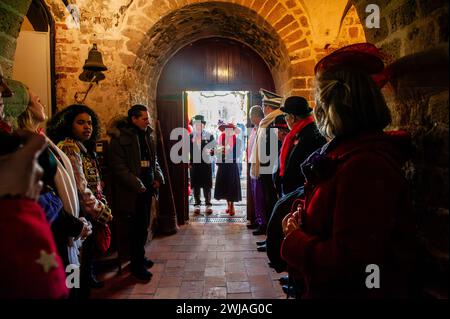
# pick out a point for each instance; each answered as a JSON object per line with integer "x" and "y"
{"x": 30, "y": 267}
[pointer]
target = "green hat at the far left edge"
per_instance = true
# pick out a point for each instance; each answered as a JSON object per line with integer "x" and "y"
{"x": 18, "y": 103}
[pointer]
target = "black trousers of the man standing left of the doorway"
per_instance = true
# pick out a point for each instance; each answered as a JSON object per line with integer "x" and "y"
{"x": 138, "y": 228}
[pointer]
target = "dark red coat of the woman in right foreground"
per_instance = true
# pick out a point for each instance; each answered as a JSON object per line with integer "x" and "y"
{"x": 358, "y": 214}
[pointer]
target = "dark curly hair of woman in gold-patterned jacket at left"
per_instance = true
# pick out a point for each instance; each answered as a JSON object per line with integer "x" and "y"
{"x": 59, "y": 127}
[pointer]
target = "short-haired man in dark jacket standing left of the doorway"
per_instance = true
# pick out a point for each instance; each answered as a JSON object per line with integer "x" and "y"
{"x": 136, "y": 178}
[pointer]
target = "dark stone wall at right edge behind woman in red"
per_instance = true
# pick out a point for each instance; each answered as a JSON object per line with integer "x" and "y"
{"x": 414, "y": 34}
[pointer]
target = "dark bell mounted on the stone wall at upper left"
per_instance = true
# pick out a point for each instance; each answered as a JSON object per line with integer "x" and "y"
{"x": 92, "y": 72}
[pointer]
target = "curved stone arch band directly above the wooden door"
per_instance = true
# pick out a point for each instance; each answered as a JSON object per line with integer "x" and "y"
{"x": 203, "y": 20}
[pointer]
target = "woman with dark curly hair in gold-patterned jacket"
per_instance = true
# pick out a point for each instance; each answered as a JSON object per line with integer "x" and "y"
{"x": 76, "y": 130}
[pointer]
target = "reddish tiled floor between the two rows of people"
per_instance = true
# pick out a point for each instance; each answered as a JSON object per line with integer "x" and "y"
{"x": 216, "y": 261}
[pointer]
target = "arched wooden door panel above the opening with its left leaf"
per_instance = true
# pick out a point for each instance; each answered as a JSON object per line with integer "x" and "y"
{"x": 196, "y": 67}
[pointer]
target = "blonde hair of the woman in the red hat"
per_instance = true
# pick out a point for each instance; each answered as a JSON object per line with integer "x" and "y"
{"x": 348, "y": 102}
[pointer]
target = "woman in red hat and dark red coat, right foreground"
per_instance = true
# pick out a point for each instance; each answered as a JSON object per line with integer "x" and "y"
{"x": 353, "y": 235}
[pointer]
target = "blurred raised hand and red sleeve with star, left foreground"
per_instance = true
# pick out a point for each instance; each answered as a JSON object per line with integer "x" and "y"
{"x": 30, "y": 267}
